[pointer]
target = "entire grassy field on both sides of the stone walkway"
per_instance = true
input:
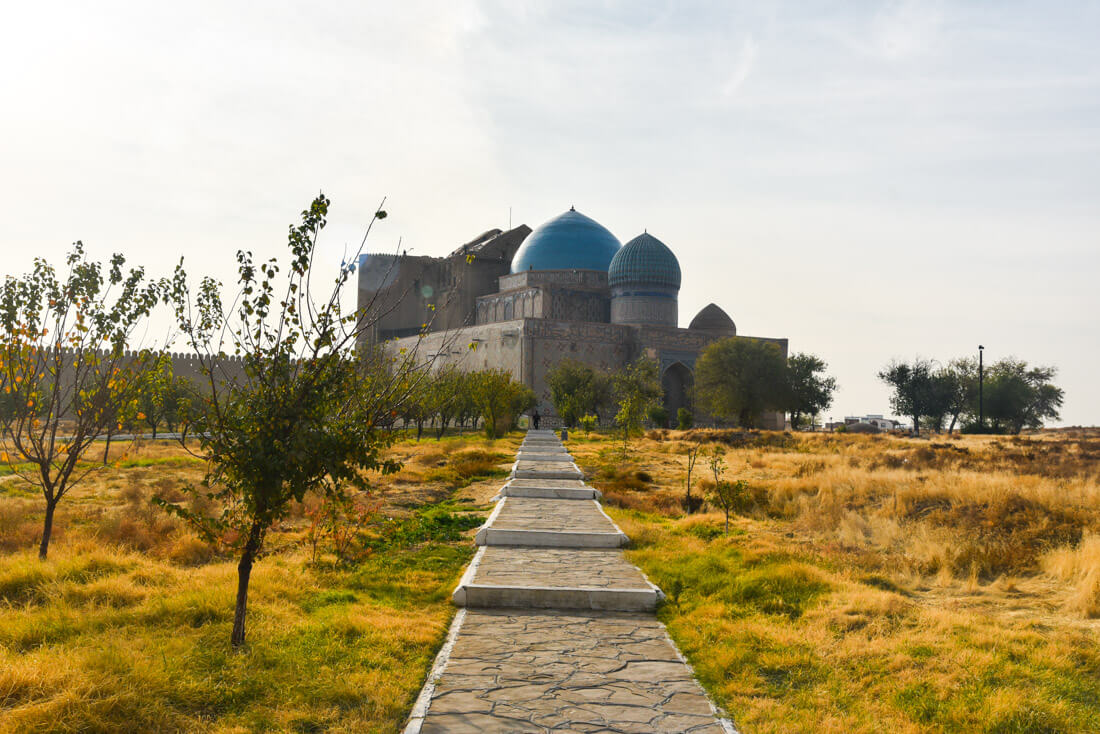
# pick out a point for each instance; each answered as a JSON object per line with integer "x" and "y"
{"x": 868, "y": 584}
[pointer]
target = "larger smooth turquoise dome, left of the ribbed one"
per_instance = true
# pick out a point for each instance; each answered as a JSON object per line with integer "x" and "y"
{"x": 570, "y": 242}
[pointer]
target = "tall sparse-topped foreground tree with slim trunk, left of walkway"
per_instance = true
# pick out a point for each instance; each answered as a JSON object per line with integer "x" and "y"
{"x": 302, "y": 415}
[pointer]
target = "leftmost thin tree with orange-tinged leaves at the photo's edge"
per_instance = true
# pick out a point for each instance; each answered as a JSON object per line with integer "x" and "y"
{"x": 64, "y": 368}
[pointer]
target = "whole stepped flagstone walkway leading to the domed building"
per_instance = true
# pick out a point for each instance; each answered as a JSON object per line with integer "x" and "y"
{"x": 557, "y": 632}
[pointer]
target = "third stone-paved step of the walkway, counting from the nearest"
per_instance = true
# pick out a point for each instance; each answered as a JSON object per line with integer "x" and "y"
{"x": 551, "y": 523}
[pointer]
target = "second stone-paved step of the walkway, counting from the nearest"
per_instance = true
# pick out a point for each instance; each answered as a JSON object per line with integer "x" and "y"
{"x": 555, "y": 578}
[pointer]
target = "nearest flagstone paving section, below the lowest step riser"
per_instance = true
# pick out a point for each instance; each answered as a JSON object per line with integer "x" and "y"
{"x": 543, "y": 672}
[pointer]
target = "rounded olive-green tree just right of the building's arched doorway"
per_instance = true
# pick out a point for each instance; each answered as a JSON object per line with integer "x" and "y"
{"x": 740, "y": 379}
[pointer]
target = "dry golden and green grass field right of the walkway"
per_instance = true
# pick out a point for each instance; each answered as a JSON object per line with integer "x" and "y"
{"x": 878, "y": 584}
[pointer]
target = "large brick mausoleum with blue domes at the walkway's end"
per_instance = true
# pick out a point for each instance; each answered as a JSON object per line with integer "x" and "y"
{"x": 525, "y": 300}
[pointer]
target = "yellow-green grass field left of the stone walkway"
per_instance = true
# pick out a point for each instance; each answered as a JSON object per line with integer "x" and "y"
{"x": 127, "y": 627}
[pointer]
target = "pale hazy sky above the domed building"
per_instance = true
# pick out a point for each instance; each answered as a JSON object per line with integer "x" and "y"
{"x": 873, "y": 181}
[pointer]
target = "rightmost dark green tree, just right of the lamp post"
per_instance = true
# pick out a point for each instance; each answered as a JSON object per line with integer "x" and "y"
{"x": 1019, "y": 397}
